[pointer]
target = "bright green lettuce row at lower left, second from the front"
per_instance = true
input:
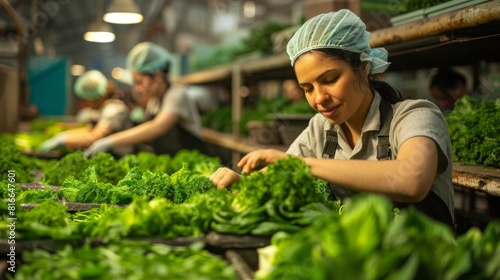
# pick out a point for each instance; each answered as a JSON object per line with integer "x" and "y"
{"x": 143, "y": 217}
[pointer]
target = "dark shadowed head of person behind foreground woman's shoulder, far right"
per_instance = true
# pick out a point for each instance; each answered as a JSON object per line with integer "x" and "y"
{"x": 446, "y": 88}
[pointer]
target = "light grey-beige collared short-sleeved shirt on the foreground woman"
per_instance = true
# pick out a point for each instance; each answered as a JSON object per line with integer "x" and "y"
{"x": 410, "y": 118}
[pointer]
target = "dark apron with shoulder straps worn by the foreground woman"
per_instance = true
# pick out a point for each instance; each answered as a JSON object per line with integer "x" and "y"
{"x": 432, "y": 205}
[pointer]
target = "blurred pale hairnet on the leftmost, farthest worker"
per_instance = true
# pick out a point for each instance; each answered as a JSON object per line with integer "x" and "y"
{"x": 91, "y": 85}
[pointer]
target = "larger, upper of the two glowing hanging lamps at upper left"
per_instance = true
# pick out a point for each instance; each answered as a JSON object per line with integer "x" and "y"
{"x": 123, "y": 12}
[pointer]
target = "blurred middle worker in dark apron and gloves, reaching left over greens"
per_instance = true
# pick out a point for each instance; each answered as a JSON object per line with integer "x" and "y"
{"x": 172, "y": 121}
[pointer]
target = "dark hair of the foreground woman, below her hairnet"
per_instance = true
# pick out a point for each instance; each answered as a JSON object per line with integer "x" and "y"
{"x": 386, "y": 91}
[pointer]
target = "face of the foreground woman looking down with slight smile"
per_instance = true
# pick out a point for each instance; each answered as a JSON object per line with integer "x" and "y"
{"x": 331, "y": 87}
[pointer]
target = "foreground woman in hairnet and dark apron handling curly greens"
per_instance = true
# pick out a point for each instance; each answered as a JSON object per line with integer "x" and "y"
{"x": 364, "y": 138}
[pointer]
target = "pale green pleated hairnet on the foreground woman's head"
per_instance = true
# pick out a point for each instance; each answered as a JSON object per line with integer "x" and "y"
{"x": 338, "y": 30}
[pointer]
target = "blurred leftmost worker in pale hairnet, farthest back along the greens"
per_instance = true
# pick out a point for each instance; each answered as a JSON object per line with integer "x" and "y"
{"x": 108, "y": 114}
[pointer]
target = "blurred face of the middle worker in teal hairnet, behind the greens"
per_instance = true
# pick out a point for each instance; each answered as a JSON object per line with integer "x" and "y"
{"x": 145, "y": 87}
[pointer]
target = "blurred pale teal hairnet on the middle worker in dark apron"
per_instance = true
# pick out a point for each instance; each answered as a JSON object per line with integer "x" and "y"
{"x": 147, "y": 57}
